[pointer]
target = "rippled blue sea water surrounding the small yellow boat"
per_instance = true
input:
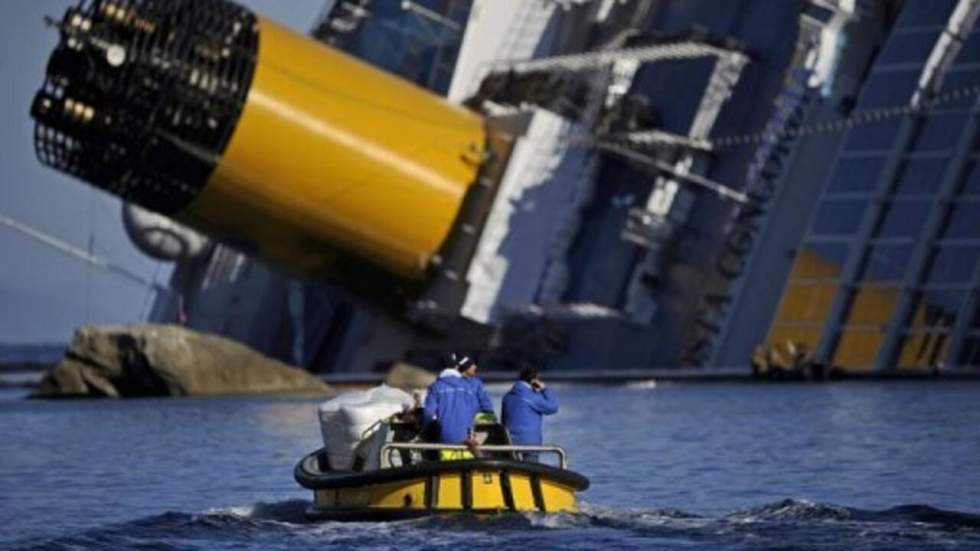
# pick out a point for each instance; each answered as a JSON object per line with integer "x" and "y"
{"x": 840, "y": 466}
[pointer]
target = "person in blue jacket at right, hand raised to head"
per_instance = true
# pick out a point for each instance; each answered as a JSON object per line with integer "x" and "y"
{"x": 523, "y": 408}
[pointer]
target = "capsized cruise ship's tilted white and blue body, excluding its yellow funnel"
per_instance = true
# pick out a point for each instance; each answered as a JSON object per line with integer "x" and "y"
{"x": 689, "y": 183}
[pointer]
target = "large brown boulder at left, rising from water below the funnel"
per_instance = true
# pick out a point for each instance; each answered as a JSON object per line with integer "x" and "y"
{"x": 166, "y": 360}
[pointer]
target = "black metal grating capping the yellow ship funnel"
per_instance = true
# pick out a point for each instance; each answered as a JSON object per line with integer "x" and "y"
{"x": 141, "y": 97}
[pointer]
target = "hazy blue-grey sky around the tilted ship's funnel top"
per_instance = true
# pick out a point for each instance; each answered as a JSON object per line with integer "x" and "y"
{"x": 44, "y": 293}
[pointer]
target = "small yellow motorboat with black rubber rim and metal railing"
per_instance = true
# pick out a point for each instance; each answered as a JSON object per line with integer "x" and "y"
{"x": 395, "y": 476}
